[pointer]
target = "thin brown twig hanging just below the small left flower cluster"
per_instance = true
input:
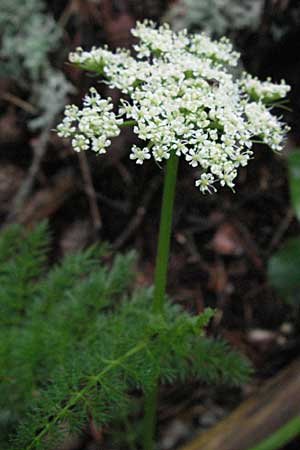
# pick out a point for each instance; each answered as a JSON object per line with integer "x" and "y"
{"x": 90, "y": 192}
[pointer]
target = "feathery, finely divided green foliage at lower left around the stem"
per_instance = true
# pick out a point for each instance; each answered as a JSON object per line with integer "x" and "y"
{"x": 76, "y": 342}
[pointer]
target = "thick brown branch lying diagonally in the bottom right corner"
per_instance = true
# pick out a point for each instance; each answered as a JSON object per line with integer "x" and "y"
{"x": 274, "y": 404}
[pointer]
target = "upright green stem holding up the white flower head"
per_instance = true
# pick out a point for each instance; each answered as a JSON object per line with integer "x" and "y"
{"x": 160, "y": 279}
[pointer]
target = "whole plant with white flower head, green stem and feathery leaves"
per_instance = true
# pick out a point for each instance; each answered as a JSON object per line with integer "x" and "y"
{"x": 183, "y": 100}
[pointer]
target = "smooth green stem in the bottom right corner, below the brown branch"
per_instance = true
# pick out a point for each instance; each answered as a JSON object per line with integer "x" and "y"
{"x": 281, "y": 437}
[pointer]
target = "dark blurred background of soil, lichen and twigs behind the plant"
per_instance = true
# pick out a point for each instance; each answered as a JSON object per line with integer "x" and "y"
{"x": 237, "y": 252}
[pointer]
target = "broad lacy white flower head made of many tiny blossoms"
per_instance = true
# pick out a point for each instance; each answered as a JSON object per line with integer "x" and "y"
{"x": 182, "y": 97}
